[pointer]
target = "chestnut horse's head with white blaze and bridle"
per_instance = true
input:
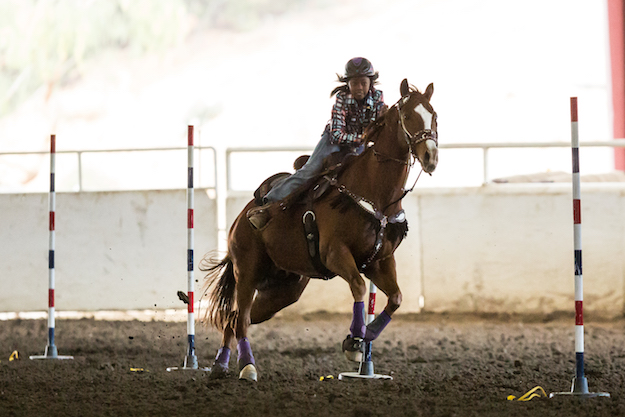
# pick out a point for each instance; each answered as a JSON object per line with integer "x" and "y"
{"x": 417, "y": 124}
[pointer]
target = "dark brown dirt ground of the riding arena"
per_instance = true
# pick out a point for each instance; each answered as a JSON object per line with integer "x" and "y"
{"x": 441, "y": 366}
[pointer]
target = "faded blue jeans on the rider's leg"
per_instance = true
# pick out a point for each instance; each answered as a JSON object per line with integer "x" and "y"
{"x": 311, "y": 168}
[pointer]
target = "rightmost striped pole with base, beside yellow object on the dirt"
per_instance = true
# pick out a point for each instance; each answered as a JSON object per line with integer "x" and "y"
{"x": 580, "y": 383}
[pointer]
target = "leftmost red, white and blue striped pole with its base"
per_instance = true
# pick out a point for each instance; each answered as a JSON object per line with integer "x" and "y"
{"x": 51, "y": 351}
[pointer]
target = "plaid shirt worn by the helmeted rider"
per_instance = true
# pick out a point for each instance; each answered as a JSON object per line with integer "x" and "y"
{"x": 349, "y": 118}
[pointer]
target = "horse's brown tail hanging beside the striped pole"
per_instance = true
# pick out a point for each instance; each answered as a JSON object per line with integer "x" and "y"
{"x": 220, "y": 284}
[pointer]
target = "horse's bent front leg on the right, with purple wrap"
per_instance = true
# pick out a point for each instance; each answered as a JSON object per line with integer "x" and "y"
{"x": 384, "y": 275}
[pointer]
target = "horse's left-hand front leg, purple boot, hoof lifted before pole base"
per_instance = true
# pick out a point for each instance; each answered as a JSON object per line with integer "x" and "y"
{"x": 341, "y": 261}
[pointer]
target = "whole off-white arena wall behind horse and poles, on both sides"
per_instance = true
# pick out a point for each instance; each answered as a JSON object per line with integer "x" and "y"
{"x": 497, "y": 248}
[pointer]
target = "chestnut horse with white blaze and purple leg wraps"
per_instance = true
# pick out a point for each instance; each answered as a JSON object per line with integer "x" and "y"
{"x": 360, "y": 223}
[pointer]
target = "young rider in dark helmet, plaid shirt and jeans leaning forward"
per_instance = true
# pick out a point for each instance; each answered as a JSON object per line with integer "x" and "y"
{"x": 357, "y": 104}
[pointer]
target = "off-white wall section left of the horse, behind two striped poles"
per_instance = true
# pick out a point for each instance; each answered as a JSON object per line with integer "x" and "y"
{"x": 114, "y": 250}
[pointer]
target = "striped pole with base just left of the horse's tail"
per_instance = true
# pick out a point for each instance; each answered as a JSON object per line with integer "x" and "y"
{"x": 190, "y": 360}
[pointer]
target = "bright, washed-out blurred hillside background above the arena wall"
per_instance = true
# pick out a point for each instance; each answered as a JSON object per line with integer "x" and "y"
{"x": 122, "y": 74}
